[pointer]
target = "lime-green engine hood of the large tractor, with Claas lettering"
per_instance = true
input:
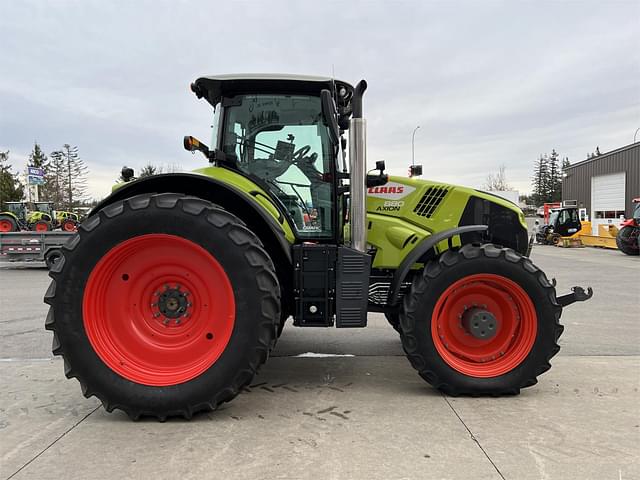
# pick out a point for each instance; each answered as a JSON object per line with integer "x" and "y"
{"x": 395, "y": 227}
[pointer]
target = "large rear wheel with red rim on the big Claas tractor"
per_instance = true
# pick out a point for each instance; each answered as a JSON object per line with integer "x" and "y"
{"x": 106, "y": 307}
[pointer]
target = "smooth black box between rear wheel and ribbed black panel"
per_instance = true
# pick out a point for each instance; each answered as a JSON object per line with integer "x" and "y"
{"x": 314, "y": 285}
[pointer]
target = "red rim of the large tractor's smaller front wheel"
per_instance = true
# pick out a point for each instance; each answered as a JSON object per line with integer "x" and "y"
{"x": 516, "y": 320}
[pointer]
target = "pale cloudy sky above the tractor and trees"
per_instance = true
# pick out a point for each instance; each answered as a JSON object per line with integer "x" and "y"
{"x": 490, "y": 83}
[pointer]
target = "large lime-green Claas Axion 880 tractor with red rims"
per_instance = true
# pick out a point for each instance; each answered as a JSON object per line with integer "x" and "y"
{"x": 176, "y": 288}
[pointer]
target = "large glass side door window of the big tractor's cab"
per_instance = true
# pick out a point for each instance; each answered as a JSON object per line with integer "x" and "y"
{"x": 281, "y": 140}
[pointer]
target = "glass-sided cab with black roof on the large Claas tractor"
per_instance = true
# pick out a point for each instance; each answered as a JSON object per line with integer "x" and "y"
{"x": 281, "y": 133}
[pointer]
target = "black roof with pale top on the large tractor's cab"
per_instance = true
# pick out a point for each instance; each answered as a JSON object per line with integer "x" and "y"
{"x": 214, "y": 87}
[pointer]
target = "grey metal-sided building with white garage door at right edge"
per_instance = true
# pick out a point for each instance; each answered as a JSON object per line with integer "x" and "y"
{"x": 605, "y": 185}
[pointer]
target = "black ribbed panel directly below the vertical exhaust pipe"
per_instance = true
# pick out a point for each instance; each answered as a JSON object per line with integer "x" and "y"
{"x": 352, "y": 288}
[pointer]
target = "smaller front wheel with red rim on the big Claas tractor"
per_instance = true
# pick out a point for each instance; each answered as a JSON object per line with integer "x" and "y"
{"x": 438, "y": 338}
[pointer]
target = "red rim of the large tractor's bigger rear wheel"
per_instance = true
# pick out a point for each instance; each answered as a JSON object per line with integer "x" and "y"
{"x": 158, "y": 309}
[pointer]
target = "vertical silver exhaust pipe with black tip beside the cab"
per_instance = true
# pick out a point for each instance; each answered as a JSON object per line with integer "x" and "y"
{"x": 358, "y": 168}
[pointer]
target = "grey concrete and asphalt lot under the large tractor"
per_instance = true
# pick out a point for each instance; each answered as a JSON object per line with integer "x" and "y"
{"x": 365, "y": 415}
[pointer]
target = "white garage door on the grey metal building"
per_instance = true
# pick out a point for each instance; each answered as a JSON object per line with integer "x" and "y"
{"x": 607, "y": 199}
